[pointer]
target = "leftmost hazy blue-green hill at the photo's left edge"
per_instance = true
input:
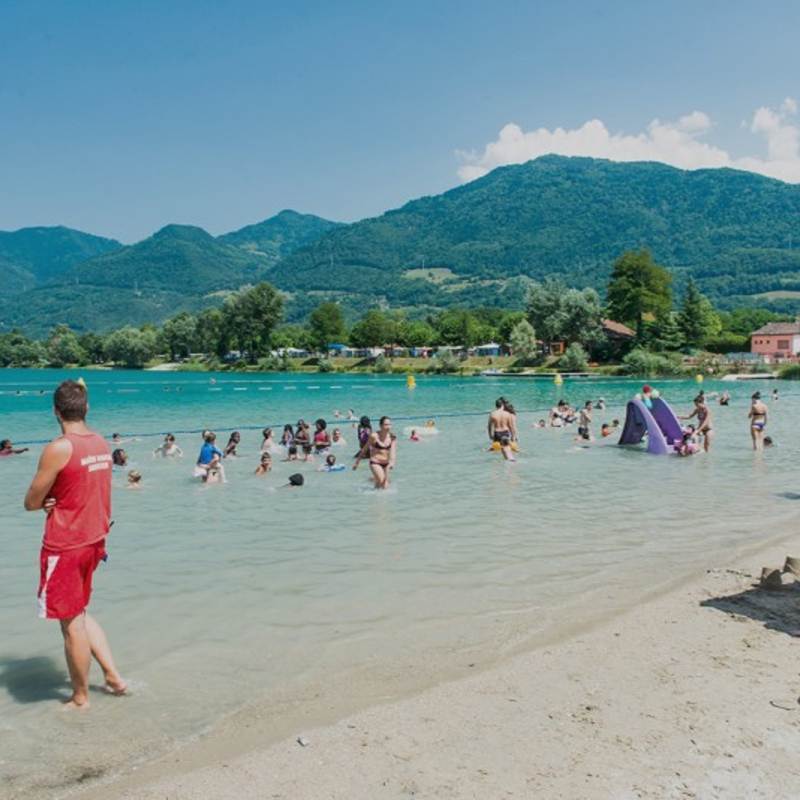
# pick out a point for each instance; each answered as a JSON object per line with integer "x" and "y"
{"x": 31, "y": 256}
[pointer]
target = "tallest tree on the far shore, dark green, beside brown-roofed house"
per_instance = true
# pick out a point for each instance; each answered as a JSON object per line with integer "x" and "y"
{"x": 638, "y": 288}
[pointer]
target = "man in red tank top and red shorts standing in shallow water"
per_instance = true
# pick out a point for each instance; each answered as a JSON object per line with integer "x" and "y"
{"x": 73, "y": 487}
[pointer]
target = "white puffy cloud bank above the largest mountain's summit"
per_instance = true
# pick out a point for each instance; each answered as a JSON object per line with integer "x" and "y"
{"x": 676, "y": 143}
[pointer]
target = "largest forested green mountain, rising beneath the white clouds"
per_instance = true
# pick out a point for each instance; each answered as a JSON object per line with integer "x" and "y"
{"x": 569, "y": 217}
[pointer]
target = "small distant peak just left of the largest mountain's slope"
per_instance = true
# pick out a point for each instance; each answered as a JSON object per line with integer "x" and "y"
{"x": 281, "y": 235}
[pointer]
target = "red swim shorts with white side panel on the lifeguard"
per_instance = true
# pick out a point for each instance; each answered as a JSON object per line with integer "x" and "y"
{"x": 65, "y": 582}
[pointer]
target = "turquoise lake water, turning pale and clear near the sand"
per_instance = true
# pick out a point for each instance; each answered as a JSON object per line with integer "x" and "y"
{"x": 220, "y": 598}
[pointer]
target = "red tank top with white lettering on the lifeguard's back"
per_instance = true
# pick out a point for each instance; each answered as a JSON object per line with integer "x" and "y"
{"x": 83, "y": 496}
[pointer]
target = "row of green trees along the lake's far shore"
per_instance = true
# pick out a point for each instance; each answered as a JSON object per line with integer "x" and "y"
{"x": 250, "y": 321}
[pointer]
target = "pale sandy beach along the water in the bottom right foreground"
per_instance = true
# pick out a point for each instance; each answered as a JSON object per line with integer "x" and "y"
{"x": 691, "y": 694}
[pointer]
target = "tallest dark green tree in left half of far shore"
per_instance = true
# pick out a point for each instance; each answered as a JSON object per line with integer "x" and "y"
{"x": 250, "y": 316}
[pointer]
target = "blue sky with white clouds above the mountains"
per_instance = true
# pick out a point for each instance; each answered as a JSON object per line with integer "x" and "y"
{"x": 118, "y": 118}
